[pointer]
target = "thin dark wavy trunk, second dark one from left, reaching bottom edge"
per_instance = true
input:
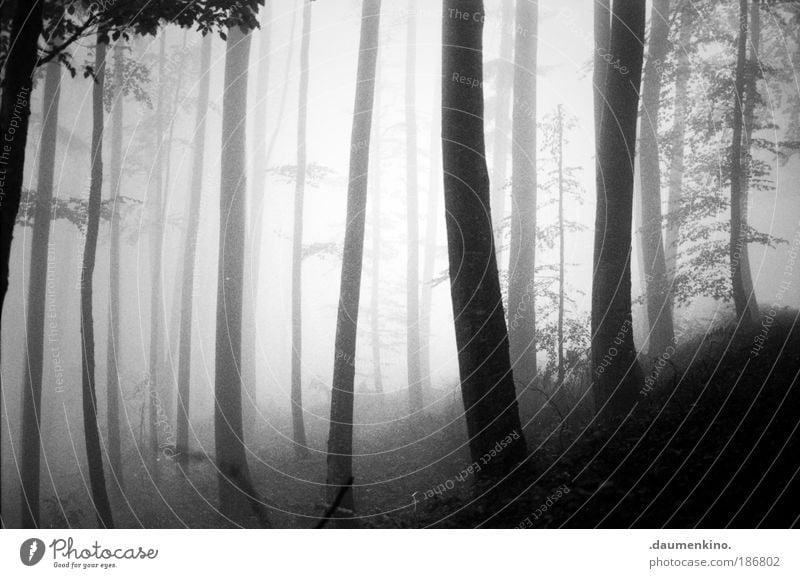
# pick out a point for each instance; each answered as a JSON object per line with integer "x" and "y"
{"x": 93, "y": 452}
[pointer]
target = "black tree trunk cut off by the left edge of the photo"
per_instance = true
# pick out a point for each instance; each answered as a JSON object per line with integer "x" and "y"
{"x": 15, "y": 110}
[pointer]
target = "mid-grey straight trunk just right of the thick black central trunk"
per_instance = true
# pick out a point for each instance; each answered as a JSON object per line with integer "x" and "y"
{"x": 522, "y": 251}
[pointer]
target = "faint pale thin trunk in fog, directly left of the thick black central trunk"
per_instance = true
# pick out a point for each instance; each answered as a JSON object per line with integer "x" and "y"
{"x": 435, "y": 175}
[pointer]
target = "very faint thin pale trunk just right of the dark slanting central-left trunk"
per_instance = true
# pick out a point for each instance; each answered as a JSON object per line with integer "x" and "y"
{"x": 375, "y": 192}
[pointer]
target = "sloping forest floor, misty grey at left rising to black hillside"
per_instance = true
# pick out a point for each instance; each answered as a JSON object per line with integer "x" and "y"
{"x": 715, "y": 445}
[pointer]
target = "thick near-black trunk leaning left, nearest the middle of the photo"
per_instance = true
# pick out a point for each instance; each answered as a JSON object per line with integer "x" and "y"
{"x": 487, "y": 383}
